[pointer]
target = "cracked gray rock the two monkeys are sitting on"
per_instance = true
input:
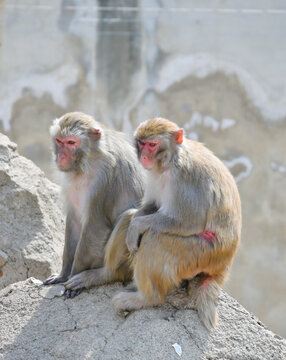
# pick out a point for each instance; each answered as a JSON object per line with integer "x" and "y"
{"x": 37, "y": 323}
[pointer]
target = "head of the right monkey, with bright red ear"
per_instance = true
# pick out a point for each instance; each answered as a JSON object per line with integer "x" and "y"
{"x": 156, "y": 141}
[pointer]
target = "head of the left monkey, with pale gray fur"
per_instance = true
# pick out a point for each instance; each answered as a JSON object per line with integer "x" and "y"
{"x": 74, "y": 135}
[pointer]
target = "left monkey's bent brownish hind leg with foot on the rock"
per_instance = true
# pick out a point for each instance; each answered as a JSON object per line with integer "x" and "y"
{"x": 117, "y": 260}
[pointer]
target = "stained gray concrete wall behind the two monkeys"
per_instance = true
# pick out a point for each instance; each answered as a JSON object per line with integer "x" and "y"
{"x": 217, "y": 68}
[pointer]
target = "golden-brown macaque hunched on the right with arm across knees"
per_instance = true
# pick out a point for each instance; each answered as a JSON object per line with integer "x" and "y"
{"x": 188, "y": 227}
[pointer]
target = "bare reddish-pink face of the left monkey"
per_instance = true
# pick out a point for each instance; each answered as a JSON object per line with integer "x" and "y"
{"x": 66, "y": 150}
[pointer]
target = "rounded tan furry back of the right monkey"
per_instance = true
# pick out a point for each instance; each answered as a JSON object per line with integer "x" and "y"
{"x": 214, "y": 189}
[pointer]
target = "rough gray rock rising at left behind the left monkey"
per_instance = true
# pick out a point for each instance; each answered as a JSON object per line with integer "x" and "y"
{"x": 32, "y": 221}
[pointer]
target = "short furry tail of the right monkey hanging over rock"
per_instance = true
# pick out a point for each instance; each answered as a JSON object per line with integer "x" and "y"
{"x": 204, "y": 291}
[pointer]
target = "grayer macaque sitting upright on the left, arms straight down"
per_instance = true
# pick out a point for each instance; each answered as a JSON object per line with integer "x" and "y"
{"x": 101, "y": 180}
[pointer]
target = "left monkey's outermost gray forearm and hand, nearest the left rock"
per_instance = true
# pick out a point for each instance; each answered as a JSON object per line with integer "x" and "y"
{"x": 72, "y": 234}
